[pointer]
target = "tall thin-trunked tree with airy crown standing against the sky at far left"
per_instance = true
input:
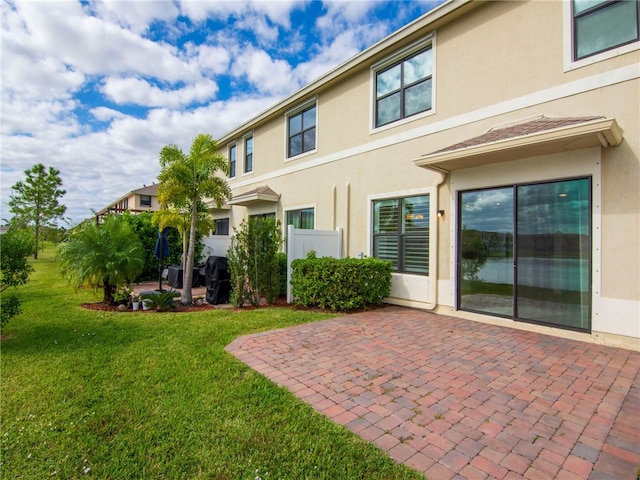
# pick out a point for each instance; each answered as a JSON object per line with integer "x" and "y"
{"x": 35, "y": 201}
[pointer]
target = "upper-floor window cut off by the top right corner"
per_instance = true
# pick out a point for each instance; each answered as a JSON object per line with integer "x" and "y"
{"x": 600, "y": 25}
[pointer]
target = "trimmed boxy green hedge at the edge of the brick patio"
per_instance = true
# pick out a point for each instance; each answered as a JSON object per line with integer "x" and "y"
{"x": 340, "y": 284}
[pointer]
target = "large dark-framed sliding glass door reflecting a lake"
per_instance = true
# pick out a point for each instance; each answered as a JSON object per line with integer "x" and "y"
{"x": 525, "y": 252}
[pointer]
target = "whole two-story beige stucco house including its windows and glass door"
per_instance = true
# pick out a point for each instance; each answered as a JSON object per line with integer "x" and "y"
{"x": 490, "y": 150}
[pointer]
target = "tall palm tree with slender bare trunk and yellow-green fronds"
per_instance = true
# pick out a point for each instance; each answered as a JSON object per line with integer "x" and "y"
{"x": 185, "y": 181}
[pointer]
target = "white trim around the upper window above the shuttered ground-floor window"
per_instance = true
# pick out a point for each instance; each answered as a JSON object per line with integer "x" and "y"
{"x": 429, "y": 41}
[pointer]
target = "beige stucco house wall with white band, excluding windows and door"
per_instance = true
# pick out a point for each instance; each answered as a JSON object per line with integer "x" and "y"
{"x": 495, "y": 64}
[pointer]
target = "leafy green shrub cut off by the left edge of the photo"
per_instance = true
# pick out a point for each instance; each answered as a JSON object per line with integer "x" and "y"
{"x": 17, "y": 246}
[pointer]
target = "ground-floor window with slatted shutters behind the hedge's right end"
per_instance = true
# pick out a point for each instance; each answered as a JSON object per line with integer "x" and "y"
{"x": 401, "y": 233}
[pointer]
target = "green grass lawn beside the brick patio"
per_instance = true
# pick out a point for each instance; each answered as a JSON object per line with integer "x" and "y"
{"x": 125, "y": 395}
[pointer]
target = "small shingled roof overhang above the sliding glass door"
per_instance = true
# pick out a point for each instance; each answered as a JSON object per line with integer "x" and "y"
{"x": 512, "y": 145}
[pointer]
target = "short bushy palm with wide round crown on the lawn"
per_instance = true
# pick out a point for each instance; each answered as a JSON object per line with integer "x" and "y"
{"x": 108, "y": 255}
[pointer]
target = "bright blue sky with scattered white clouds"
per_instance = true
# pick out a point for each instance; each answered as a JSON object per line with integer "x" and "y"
{"x": 96, "y": 89}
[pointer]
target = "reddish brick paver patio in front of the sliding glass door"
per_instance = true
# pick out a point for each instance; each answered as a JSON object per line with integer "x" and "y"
{"x": 460, "y": 399}
